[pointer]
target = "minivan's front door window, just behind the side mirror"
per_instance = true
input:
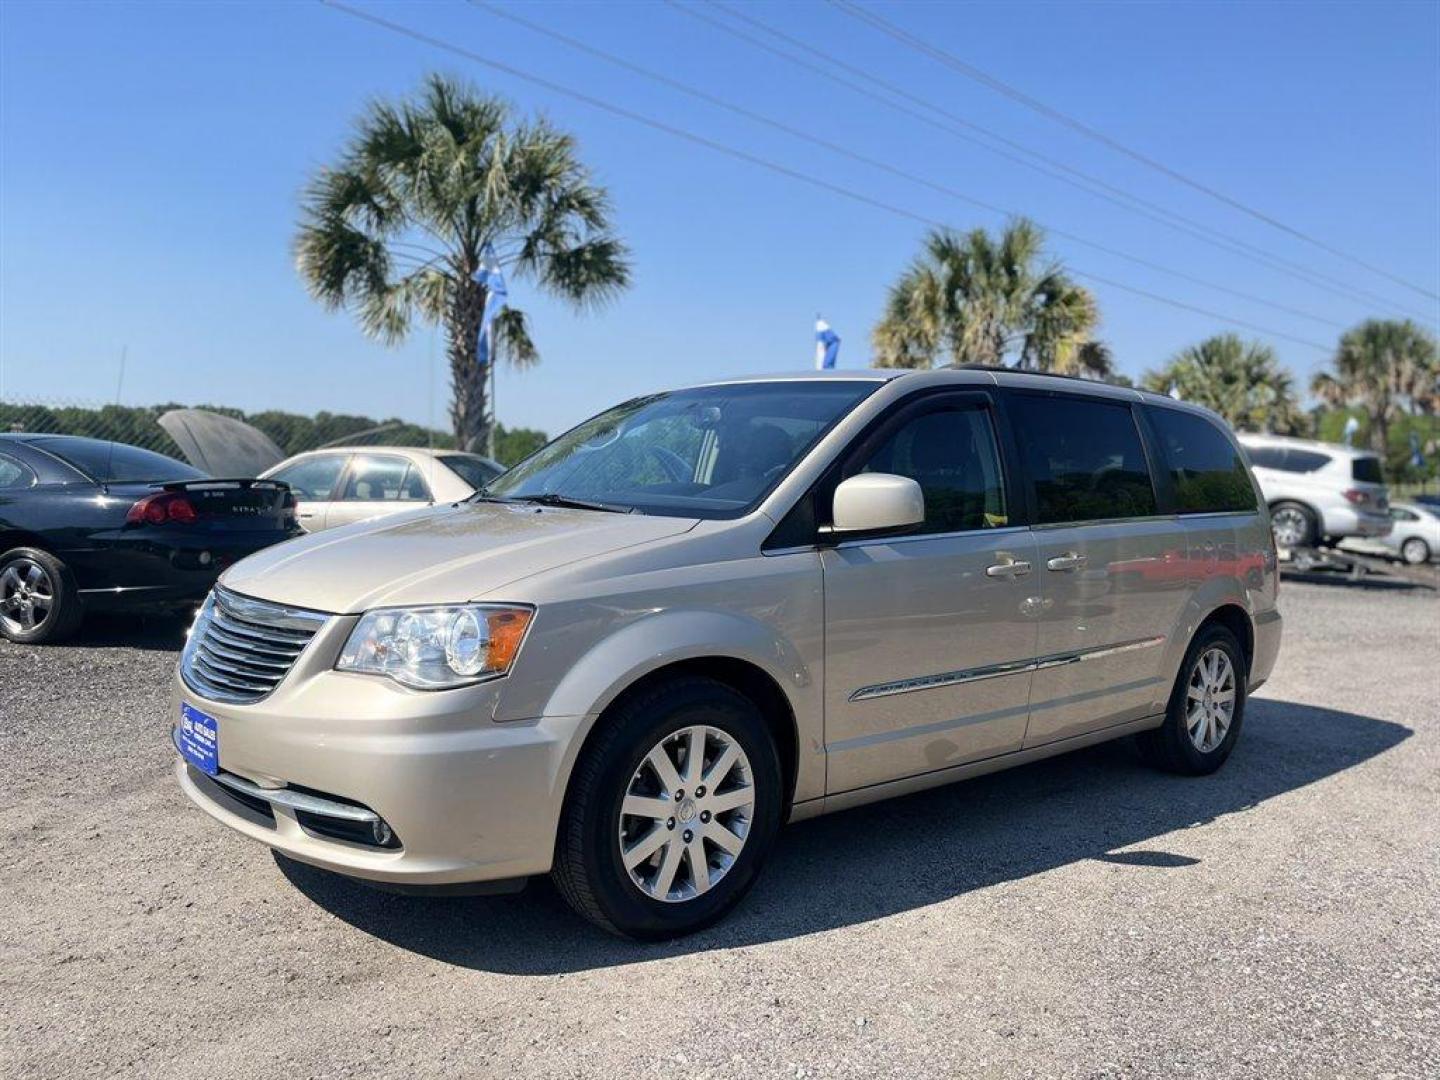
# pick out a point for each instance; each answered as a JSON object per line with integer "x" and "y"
{"x": 953, "y": 456}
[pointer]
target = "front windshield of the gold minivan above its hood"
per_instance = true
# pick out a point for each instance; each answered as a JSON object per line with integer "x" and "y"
{"x": 712, "y": 451}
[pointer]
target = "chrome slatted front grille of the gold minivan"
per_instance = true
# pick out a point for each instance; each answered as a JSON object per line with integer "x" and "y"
{"x": 241, "y": 649}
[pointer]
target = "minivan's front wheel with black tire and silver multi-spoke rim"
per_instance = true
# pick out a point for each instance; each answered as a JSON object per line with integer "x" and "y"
{"x": 673, "y": 810}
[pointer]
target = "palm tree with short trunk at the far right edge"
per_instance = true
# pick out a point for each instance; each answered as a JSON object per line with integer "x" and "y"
{"x": 1382, "y": 366}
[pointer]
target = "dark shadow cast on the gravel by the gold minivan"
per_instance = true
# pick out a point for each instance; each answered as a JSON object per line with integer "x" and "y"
{"x": 898, "y": 856}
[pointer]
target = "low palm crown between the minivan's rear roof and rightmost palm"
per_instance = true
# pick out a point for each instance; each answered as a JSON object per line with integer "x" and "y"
{"x": 1241, "y": 381}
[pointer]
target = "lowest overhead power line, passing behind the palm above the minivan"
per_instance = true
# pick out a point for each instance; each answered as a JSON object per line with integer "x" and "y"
{"x": 745, "y": 156}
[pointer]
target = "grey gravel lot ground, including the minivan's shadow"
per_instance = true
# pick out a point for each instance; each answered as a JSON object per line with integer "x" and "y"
{"x": 1076, "y": 918}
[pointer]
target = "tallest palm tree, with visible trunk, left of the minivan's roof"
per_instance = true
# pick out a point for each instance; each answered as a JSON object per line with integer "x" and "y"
{"x": 398, "y": 227}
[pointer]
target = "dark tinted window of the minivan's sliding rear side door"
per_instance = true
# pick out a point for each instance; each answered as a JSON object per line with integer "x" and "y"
{"x": 1085, "y": 459}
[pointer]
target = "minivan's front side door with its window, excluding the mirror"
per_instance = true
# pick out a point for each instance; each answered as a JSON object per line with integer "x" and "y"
{"x": 931, "y": 637}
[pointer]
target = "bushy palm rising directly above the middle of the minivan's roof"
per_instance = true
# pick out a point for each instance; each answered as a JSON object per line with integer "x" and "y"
{"x": 977, "y": 299}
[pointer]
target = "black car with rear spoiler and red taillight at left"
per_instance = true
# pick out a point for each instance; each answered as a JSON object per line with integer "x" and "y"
{"x": 89, "y": 525}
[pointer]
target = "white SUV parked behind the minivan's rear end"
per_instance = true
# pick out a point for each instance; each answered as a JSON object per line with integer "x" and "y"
{"x": 1320, "y": 492}
